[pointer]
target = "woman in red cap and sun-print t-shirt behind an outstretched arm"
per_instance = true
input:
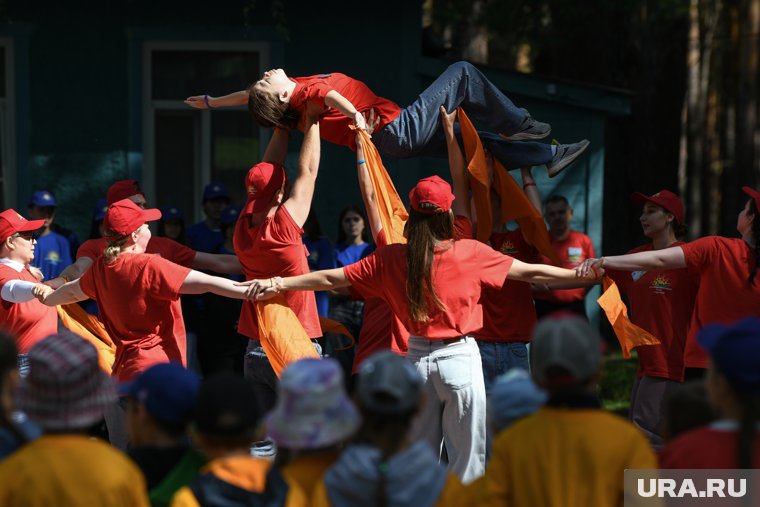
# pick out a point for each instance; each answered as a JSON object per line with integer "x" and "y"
{"x": 661, "y": 302}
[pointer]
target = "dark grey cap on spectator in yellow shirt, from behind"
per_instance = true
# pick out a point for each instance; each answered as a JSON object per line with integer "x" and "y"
{"x": 565, "y": 354}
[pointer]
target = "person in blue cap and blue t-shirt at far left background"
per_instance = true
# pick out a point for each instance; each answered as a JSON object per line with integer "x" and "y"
{"x": 52, "y": 253}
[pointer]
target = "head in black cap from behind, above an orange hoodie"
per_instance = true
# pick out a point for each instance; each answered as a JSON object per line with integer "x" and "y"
{"x": 226, "y": 415}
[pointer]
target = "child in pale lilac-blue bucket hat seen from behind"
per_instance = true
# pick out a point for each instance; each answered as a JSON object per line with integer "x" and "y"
{"x": 313, "y": 417}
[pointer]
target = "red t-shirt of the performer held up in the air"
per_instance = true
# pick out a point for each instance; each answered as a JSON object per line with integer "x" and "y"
{"x": 333, "y": 125}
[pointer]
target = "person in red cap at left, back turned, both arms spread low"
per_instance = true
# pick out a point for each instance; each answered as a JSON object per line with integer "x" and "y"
{"x": 138, "y": 294}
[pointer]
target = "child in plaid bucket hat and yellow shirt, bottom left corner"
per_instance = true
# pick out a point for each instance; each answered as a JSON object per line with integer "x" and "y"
{"x": 66, "y": 392}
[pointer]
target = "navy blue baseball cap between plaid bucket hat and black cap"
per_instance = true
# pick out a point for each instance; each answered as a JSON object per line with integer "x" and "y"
{"x": 167, "y": 391}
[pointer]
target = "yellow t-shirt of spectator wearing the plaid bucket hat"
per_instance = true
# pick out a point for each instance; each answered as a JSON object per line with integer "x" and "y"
{"x": 71, "y": 470}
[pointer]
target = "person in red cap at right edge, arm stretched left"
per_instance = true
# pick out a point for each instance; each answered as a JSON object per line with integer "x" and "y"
{"x": 729, "y": 283}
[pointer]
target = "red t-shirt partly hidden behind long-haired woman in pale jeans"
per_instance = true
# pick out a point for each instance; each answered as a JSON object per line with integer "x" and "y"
{"x": 381, "y": 329}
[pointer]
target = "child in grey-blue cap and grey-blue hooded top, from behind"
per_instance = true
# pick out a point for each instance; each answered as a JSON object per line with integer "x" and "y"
{"x": 382, "y": 463}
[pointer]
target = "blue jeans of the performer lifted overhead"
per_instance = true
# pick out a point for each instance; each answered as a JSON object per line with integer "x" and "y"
{"x": 416, "y": 131}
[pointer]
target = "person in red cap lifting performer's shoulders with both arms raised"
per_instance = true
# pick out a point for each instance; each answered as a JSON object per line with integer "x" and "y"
{"x": 268, "y": 241}
